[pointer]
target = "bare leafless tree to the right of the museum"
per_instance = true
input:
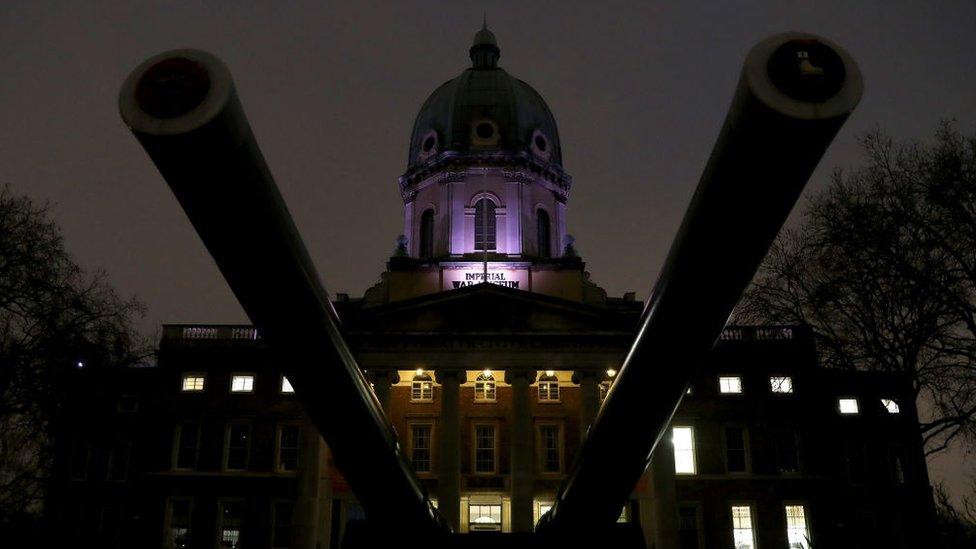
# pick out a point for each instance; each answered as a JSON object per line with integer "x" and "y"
{"x": 883, "y": 268}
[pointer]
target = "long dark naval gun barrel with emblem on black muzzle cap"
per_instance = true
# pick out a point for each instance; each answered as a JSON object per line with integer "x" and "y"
{"x": 794, "y": 94}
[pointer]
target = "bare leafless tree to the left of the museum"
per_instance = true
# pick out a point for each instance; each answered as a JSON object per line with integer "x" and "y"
{"x": 53, "y": 317}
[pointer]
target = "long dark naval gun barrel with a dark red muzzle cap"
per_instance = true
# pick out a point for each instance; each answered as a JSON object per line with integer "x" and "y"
{"x": 183, "y": 108}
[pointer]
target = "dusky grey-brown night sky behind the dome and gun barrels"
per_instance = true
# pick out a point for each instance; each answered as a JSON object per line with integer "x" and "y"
{"x": 639, "y": 91}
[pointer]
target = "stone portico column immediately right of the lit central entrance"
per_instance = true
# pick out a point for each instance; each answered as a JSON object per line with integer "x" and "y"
{"x": 522, "y": 462}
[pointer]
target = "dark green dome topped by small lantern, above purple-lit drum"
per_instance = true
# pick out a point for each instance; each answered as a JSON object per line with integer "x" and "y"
{"x": 484, "y": 109}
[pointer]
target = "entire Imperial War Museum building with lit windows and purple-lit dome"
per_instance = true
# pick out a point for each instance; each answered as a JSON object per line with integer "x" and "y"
{"x": 490, "y": 387}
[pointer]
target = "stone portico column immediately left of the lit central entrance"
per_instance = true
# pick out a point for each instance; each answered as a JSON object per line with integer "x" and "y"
{"x": 448, "y": 458}
